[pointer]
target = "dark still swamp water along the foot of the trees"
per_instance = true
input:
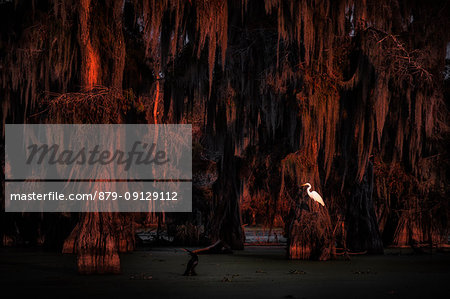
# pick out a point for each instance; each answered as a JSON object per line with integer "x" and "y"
{"x": 257, "y": 272}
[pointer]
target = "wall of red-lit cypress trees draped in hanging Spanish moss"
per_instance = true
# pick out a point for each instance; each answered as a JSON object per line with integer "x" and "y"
{"x": 349, "y": 96}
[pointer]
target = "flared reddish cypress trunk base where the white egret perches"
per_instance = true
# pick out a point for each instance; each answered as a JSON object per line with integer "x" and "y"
{"x": 309, "y": 225}
